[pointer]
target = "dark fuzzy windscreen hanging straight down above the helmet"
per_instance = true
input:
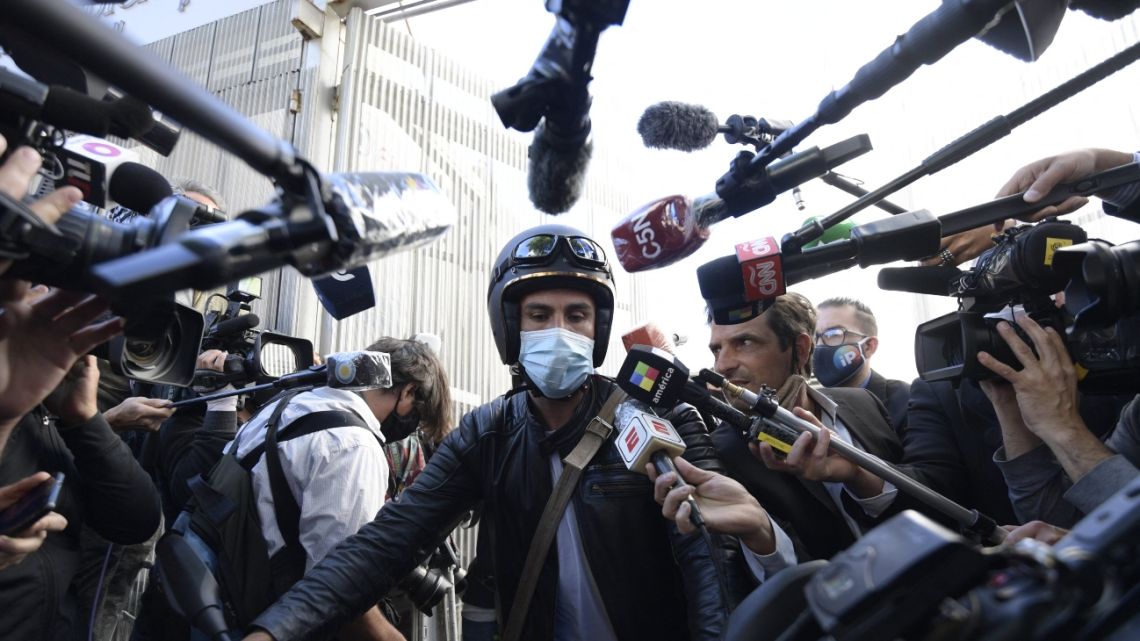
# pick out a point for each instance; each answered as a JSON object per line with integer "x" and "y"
{"x": 557, "y": 173}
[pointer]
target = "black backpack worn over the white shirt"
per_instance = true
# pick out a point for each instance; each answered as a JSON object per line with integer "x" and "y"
{"x": 218, "y": 538}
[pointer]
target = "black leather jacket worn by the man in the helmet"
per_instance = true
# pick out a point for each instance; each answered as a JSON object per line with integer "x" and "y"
{"x": 654, "y": 582}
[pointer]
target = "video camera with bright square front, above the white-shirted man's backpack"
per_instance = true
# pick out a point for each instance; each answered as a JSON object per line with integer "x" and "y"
{"x": 255, "y": 356}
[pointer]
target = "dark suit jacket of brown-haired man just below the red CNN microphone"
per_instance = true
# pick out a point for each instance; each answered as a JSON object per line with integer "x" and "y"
{"x": 805, "y": 509}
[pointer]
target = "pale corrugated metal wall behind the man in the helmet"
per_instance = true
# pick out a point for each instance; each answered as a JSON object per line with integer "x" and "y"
{"x": 403, "y": 107}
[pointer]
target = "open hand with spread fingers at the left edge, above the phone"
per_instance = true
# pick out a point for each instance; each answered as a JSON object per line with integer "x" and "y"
{"x": 43, "y": 339}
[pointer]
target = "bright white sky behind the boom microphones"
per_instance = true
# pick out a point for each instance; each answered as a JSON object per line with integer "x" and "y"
{"x": 778, "y": 60}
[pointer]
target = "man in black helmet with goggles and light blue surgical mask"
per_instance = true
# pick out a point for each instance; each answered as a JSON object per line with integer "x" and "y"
{"x": 615, "y": 570}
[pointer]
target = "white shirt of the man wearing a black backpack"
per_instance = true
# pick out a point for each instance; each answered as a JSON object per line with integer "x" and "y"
{"x": 339, "y": 476}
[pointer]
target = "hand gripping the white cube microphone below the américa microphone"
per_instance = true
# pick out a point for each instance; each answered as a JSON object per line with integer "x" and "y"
{"x": 728, "y": 508}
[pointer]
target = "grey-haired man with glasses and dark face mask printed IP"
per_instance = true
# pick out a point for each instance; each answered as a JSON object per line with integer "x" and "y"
{"x": 846, "y": 338}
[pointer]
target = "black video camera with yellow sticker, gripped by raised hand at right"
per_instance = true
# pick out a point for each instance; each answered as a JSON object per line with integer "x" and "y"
{"x": 1020, "y": 275}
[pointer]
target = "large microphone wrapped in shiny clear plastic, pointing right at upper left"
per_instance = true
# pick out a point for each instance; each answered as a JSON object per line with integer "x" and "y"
{"x": 370, "y": 216}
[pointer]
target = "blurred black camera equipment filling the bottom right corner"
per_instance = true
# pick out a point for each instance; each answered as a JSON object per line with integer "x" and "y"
{"x": 911, "y": 579}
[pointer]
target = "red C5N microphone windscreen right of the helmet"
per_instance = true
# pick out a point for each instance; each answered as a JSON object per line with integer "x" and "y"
{"x": 658, "y": 234}
